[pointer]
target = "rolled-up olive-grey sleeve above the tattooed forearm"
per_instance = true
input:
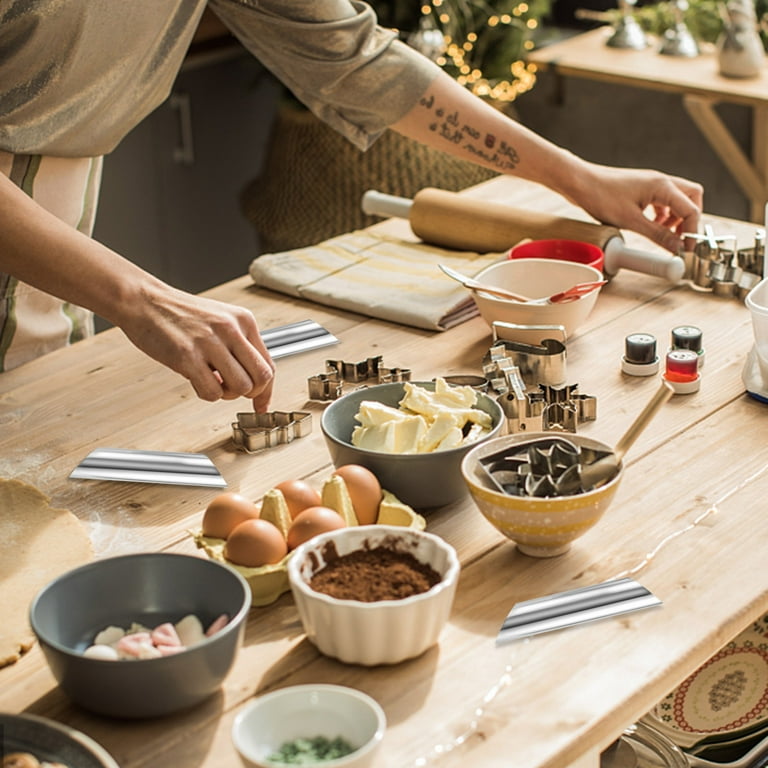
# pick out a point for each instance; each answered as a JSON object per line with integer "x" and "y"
{"x": 353, "y": 74}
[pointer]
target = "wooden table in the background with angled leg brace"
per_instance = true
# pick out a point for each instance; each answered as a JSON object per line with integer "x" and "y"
{"x": 698, "y": 82}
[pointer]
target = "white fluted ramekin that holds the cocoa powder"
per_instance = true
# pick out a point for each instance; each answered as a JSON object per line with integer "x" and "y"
{"x": 382, "y": 632}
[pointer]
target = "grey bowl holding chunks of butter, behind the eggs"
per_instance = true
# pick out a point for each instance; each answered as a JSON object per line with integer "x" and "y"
{"x": 421, "y": 480}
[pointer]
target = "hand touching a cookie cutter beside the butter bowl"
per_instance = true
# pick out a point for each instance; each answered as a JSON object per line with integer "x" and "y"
{"x": 216, "y": 346}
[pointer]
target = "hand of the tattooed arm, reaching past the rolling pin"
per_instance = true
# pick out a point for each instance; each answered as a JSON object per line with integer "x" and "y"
{"x": 654, "y": 204}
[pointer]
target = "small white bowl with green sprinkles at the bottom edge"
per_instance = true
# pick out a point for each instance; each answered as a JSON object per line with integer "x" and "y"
{"x": 307, "y": 711}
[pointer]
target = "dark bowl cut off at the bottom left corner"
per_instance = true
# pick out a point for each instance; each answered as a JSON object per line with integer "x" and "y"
{"x": 51, "y": 741}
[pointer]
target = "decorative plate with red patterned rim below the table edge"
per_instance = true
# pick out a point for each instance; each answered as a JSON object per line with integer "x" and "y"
{"x": 726, "y": 695}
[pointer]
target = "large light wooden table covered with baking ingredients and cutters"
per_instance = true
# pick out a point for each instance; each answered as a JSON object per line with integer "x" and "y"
{"x": 550, "y": 701}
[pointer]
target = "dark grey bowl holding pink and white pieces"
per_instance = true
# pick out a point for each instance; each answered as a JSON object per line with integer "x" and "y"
{"x": 151, "y": 589}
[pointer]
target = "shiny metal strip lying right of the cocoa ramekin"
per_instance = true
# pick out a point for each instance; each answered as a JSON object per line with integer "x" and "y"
{"x": 576, "y": 606}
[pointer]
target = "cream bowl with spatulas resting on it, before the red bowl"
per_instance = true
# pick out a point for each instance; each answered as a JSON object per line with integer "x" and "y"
{"x": 537, "y": 278}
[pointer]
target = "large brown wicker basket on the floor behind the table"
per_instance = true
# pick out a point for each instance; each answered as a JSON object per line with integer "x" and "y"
{"x": 313, "y": 180}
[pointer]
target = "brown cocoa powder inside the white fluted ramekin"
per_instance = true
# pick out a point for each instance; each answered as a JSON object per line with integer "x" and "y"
{"x": 369, "y": 575}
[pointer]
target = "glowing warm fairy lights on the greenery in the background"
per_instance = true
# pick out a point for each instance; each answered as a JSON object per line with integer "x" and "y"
{"x": 460, "y": 48}
